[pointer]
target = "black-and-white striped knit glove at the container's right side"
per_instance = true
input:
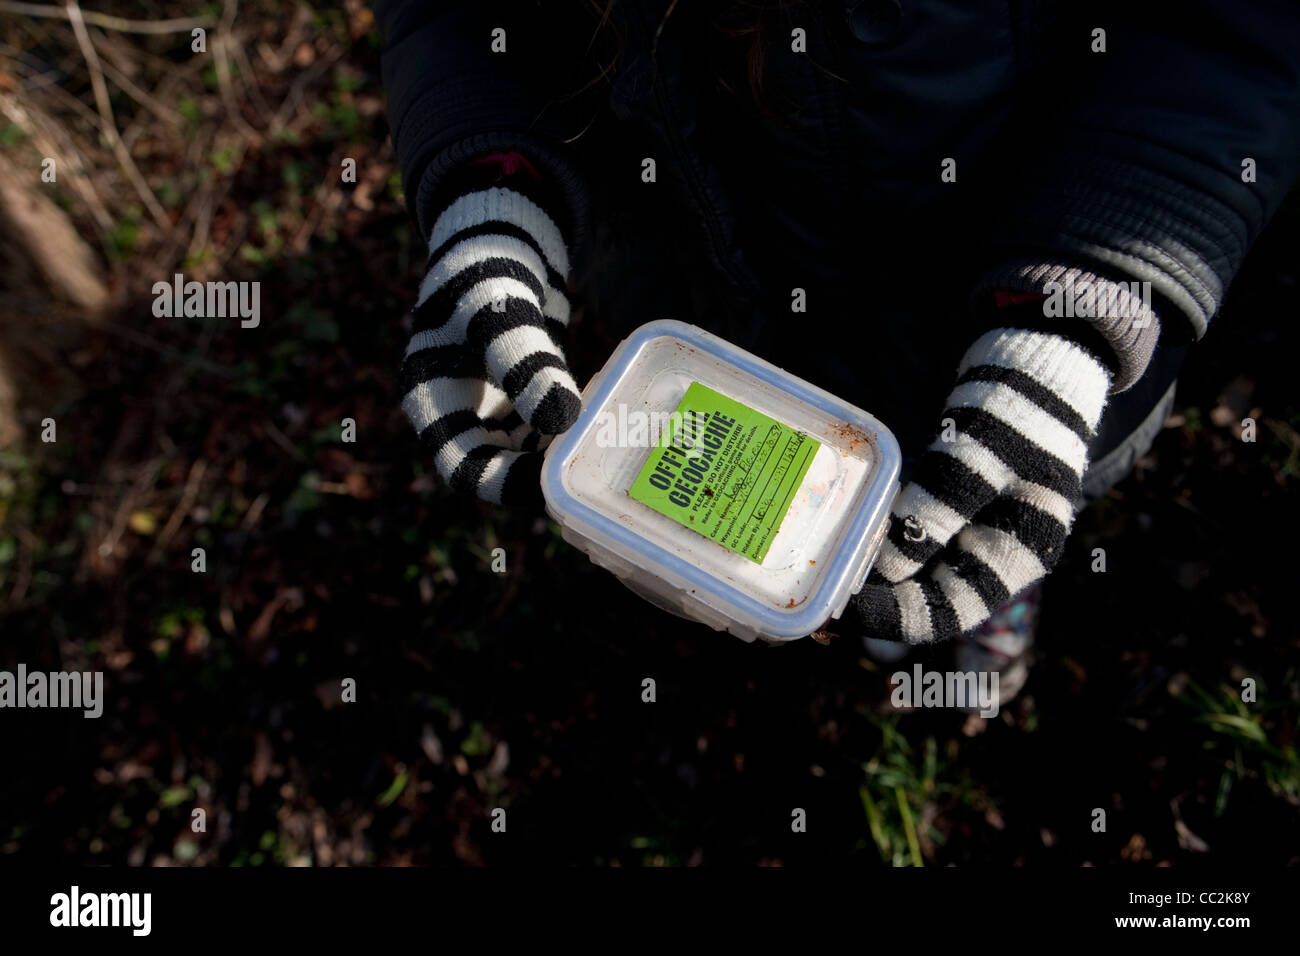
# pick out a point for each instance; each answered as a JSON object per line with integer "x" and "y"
{"x": 994, "y": 498}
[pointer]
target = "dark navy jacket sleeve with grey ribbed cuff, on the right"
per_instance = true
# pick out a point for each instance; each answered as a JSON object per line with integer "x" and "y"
{"x": 1162, "y": 163}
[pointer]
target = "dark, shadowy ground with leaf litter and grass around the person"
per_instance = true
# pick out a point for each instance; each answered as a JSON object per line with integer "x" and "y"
{"x": 476, "y": 690}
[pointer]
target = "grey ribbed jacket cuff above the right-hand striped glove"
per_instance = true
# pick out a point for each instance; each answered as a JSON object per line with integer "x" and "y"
{"x": 1123, "y": 317}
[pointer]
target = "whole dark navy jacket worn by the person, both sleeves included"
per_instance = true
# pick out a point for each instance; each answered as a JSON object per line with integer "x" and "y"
{"x": 1116, "y": 166}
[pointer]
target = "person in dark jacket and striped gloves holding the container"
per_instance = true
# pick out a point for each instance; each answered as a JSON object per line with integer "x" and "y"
{"x": 1050, "y": 201}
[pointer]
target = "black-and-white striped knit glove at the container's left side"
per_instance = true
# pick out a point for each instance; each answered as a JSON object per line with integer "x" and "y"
{"x": 484, "y": 379}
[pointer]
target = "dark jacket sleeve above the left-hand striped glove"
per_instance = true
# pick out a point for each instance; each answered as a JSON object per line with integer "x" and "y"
{"x": 452, "y": 97}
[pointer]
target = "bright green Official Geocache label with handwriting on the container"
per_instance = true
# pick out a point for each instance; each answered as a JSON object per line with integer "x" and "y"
{"x": 726, "y": 471}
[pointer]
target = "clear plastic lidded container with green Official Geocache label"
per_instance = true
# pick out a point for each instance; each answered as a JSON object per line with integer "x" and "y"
{"x": 722, "y": 488}
